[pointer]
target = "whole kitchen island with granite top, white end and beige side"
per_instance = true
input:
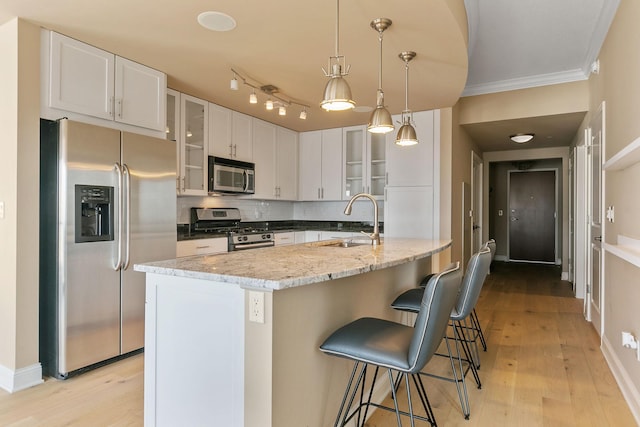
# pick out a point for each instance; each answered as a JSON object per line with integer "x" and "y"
{"x": 232, "y": 339}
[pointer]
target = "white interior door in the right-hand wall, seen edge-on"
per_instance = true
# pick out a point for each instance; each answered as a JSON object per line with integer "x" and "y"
{"x": 595, "y": 258}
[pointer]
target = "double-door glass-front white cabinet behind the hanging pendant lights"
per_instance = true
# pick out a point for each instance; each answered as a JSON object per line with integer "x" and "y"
{"x": 363, "y": 162}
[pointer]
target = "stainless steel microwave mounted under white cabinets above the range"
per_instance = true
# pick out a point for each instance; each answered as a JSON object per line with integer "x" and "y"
{"x": 231, "y": 176}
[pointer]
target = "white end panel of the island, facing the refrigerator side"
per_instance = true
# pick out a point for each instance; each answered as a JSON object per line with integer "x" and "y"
{"x": 194, "y": 352}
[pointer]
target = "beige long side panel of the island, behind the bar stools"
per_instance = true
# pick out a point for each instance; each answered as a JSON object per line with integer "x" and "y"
{"x": 307, "y": 384}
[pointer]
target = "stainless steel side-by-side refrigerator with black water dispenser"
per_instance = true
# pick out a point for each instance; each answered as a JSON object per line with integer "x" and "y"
{"x": 107, "y": 201}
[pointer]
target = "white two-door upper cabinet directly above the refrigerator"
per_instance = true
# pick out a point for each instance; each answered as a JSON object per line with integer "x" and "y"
{"x": 90, "y": 81}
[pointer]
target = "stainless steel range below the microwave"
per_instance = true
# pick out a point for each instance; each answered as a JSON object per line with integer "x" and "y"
{"x": 227, "y": 221}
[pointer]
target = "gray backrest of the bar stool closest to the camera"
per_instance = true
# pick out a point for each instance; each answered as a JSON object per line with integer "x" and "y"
{"x": 440, "y": 295}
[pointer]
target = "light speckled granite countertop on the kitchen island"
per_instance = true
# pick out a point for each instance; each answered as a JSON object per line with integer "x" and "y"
{"x": 287, "y": 266}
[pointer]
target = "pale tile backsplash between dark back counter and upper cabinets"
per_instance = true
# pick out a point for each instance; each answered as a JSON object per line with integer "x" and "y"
{"x": 275, "y": 210}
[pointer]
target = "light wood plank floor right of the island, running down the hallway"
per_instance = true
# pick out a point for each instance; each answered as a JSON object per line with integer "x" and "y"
{"x": 543, "y": 365}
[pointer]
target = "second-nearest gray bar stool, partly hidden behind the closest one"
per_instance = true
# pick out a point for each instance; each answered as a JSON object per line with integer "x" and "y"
{"x": 463, "y": 334}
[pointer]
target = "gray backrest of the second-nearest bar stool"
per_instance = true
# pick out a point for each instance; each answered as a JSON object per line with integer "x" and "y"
{"x": 477, "y": 271}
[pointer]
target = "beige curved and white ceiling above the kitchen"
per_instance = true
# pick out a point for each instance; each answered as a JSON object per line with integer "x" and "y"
{"x": 513, "y": 44}
